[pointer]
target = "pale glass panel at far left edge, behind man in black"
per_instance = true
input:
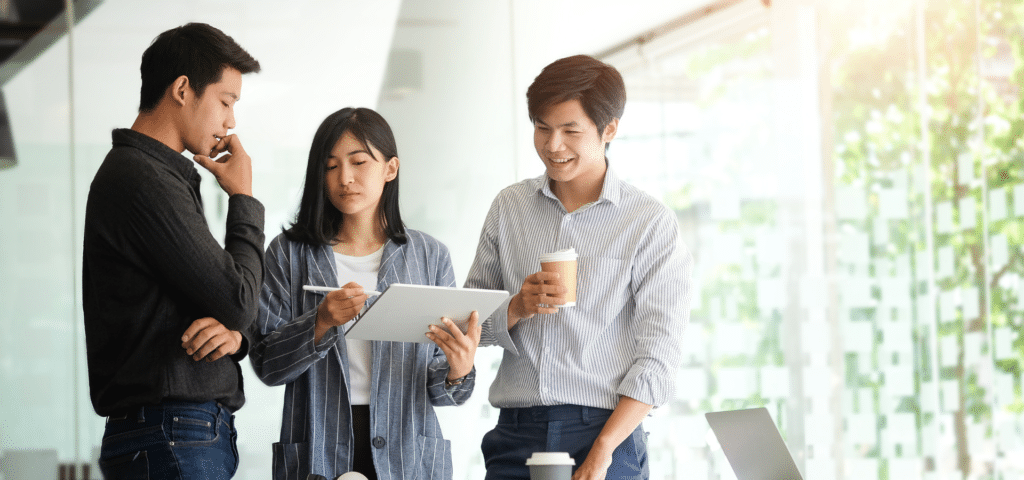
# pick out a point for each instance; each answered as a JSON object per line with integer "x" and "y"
{"x": 40, "y": 333}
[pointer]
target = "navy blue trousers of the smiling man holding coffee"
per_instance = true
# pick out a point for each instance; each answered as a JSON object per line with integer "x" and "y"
{"x": 521, "y": 432}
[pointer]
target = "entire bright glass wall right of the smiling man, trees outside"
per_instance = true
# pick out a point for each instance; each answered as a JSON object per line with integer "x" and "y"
{"x": 849, "y": 178}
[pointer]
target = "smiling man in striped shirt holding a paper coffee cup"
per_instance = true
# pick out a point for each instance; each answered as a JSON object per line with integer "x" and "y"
{"x": 581, "y": 379}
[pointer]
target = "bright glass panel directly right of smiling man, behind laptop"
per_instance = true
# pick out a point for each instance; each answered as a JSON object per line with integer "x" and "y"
{"x": 705, "y": 132}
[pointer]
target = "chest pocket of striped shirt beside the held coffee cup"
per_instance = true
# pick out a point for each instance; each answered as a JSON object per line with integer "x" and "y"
{"x": 603, "y": 287}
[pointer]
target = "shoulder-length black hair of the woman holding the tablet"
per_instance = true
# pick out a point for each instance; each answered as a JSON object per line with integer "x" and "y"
{"x": 318, "y": 222}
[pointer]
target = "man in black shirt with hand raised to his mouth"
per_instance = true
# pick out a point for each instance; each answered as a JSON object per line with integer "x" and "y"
{"x": 164, "y": 303}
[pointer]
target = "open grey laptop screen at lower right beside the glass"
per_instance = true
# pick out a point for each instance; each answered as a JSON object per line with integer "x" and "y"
{"x": 753, "y": 445}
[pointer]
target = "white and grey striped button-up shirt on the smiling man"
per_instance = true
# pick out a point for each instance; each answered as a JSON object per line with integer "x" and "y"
{"x": 624, "y": 335}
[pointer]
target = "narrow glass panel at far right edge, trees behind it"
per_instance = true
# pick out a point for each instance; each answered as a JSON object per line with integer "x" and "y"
{"x": 1000, "y": 198}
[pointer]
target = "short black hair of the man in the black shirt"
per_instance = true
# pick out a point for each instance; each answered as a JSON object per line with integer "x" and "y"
{"x": 196, "y": 51}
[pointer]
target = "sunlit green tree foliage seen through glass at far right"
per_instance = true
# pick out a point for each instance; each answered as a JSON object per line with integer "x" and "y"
{"x": 972, "y": 125}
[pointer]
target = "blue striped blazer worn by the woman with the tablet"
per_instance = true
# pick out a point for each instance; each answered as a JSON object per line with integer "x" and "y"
{"x": 408, "y": 379}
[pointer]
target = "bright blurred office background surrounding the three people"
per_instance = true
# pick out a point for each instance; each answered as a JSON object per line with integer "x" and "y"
{"x": 848, "y": 176}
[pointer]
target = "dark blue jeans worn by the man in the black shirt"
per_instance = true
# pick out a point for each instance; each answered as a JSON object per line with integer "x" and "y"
{"x": 174, "y": 441}
